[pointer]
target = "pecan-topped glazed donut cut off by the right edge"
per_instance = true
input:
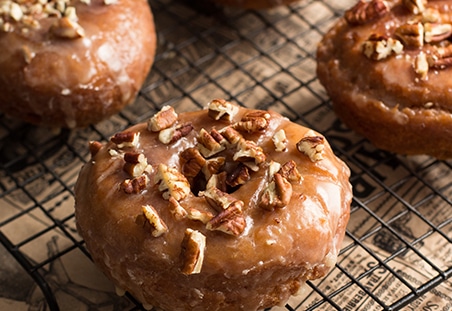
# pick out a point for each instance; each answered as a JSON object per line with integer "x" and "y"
{"x": 386, "y": 66}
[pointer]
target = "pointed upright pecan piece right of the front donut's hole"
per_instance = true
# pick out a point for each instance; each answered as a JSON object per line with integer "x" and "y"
{"x": 277, "y": 194}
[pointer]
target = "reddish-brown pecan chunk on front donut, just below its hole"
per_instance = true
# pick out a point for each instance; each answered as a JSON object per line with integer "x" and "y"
{"x": 230, "y": 220}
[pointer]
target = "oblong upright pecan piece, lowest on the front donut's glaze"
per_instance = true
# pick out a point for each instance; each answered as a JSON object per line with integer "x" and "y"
{"x": 192, "y": 253}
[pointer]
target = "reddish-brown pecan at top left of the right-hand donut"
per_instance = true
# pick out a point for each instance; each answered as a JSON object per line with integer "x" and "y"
{"x": 364, "y": 12}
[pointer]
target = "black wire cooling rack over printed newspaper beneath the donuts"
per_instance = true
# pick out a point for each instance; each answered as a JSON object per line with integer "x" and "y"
{"x": 397, "y": 253}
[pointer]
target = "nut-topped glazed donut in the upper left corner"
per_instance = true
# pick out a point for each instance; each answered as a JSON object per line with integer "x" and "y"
{"x": 71, "y": 63}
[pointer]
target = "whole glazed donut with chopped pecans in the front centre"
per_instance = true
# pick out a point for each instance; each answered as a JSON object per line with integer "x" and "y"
{"x": 223, "y": 208}
